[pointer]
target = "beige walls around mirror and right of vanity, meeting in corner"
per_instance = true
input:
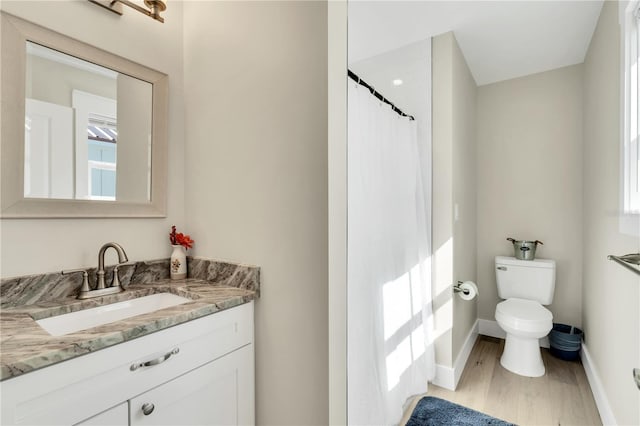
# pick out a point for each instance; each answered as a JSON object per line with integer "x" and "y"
{"x": 254, "y": 183}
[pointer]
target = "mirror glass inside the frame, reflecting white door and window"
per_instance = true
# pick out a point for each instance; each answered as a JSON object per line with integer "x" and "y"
{"x": 87, "y": 130}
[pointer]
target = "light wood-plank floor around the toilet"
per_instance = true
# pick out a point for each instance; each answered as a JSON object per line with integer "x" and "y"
{"x": 561, "y": 397}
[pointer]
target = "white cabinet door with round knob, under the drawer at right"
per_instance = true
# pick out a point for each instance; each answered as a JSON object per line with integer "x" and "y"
{"x": 220, "y": 392}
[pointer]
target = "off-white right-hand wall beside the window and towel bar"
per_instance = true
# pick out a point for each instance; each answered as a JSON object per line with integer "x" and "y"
{"x": 611, "y": 318}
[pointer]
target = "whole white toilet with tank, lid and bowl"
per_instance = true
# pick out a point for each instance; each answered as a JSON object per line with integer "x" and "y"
{"x": 526, "y": 285}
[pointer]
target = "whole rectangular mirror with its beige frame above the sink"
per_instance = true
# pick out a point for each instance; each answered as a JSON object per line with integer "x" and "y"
{"x": 83, "y": 131}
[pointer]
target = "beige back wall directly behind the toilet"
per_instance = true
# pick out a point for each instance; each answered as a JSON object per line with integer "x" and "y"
{"x": 530, "y": 181}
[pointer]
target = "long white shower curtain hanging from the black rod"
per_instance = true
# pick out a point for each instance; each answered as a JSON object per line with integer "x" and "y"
{"x": 390, "y": 350}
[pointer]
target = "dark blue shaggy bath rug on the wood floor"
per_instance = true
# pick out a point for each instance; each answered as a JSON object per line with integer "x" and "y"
{"x": 432, "y": 411}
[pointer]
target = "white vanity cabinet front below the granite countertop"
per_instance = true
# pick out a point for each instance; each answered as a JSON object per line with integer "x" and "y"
{"x": 199, "y": 372}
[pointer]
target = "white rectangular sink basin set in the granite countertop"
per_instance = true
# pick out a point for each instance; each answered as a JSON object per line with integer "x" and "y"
{"x": 89, "y": 318}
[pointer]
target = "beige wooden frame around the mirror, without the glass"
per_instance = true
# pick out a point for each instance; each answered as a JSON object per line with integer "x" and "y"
{"x": 15, "y": 32}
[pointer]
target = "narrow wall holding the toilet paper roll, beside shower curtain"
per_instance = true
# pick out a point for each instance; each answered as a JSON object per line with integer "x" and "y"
{"x": 454, "y": 129}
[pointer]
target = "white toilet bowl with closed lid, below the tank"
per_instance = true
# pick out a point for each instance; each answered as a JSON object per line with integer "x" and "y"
{"x": 525, "y": 322}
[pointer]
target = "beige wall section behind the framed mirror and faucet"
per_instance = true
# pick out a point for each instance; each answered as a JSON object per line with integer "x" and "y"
{"x": 43, "y": 245}
